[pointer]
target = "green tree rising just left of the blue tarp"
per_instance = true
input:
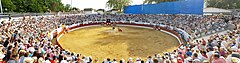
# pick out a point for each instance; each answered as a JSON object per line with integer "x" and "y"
{"x": 118, "y": 4}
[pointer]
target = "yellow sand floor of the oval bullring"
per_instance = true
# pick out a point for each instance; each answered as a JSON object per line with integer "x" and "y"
{"x": 104, "y": 42}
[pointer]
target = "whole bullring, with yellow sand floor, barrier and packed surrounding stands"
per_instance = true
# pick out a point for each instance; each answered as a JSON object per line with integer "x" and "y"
{"x": 170, "y": 39}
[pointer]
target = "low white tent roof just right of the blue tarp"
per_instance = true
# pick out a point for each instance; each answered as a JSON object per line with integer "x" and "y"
{"x": 215, "y": 10}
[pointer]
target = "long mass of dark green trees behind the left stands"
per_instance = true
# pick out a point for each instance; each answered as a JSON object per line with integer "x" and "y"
{"x": 36, "y": 6}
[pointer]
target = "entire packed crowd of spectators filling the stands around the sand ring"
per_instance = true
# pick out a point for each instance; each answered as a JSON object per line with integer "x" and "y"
{"x": 27, "y": 39}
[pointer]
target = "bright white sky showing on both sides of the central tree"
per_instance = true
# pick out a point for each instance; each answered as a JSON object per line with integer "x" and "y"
{"x": 95, "y": 4}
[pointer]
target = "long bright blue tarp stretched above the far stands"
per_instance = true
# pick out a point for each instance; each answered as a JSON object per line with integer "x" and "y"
{"x": 178, "y": 7}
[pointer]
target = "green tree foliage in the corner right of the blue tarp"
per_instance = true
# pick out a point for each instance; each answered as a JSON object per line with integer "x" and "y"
{"x": 225, "y": 4}
